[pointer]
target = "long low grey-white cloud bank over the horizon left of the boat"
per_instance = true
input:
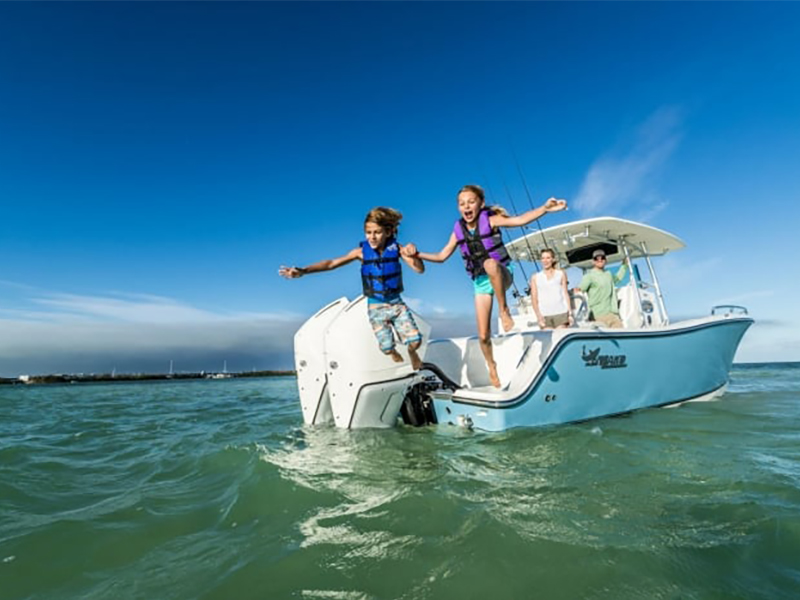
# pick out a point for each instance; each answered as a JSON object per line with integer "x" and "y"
{"x": 80, "y": 333}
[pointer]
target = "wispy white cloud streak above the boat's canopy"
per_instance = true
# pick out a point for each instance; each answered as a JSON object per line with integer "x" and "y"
{"x": 621, "y": 177}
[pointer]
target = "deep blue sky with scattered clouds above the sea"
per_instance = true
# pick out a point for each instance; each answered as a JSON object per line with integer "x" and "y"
{"x": 159, "y": 162}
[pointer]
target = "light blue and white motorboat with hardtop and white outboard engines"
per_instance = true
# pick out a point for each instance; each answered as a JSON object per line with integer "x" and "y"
{"x": 548, "y": 377}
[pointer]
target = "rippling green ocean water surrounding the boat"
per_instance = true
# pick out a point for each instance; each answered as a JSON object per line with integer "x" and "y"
{"x": 215, "y": 490}
